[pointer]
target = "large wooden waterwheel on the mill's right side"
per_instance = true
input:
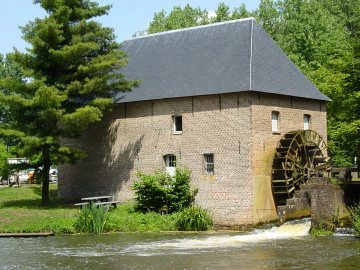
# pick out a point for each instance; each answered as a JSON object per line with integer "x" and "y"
{"x": 299, "y": 156}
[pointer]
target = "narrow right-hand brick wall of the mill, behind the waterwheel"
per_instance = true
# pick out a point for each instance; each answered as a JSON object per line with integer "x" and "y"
{"x": 291, "y": 117}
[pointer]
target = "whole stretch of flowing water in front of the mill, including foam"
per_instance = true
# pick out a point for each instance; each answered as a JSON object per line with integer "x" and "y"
{"x": 286, "y": 247}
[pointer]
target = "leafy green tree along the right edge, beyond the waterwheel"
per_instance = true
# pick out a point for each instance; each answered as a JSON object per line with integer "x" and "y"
{"x": 344, "y": 126}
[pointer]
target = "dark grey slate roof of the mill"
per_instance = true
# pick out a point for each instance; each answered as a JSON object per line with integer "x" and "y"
{"x": 226, "y": 57}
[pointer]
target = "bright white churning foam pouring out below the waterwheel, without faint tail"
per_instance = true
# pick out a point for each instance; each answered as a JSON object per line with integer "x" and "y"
{"x": 288, "y": 230}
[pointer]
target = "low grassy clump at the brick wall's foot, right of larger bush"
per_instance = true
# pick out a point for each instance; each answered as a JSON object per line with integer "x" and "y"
{"x": 194, "y": 219}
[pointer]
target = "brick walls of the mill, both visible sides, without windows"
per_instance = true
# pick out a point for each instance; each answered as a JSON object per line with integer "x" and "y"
{"x": 236, "y": 128}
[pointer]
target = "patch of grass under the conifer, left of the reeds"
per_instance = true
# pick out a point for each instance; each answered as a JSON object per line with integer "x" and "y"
{"x": 21, "y": 211}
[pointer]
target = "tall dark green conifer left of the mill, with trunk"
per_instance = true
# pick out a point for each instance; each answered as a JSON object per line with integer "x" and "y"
{"x": 73, "y": 71}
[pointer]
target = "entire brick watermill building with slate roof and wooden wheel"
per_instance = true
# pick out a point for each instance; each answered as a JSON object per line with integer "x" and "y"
{"x": 218, "y": 99}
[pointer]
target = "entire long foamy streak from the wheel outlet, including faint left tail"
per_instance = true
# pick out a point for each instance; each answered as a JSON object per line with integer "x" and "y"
{"x": 190, "y": 244}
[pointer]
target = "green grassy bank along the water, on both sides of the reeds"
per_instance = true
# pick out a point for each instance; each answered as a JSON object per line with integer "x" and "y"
{"x": 21, "y": 211}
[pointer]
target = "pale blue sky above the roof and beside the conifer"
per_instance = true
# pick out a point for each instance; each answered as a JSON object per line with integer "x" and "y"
{"x": 126, "y": 17}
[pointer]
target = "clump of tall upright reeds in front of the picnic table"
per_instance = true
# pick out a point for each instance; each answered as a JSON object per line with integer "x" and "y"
{"x": 91, "y": 219}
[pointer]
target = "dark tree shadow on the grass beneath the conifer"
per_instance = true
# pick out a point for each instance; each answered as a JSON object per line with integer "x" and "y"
{"x": 35, "y": 203}
